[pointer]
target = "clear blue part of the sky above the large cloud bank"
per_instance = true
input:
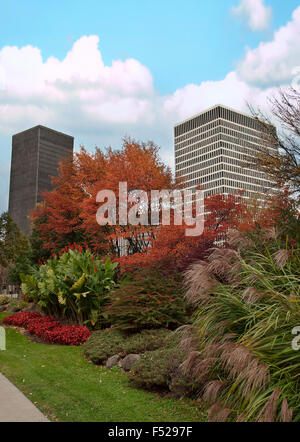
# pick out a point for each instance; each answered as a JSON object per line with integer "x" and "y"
{"x": 181, "y": 42}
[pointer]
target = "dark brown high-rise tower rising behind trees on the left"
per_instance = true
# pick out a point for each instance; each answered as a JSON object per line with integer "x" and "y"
{"x": 36, "y": 153}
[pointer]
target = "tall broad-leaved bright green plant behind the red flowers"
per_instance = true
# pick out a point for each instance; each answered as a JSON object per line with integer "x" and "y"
{"x": 74, "y": 286}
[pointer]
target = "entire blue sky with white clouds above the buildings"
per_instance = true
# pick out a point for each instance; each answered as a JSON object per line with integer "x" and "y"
{"x": 102, "y": 70}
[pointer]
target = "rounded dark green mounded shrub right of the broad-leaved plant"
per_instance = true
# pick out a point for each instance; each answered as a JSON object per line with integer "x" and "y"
{"x": 147, "y": 299}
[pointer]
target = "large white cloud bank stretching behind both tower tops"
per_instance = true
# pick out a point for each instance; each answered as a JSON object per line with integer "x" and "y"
{"x": 100, "y": 104}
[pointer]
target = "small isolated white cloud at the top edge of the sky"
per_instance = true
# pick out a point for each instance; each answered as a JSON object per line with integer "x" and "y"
{"x": 257, "y": 14}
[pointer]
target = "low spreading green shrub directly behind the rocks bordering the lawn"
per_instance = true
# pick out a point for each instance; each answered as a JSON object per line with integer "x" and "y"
{"x": 105, "y": 343}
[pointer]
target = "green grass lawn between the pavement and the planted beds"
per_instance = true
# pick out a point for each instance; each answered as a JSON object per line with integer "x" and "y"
{"x": 65, "y": 387}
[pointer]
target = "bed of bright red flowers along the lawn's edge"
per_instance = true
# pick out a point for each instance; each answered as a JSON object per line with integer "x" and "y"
{"x": 48, "y": 329}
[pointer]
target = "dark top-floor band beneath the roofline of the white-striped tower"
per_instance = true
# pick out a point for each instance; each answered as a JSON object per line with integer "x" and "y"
{"x": 213, "y": 114}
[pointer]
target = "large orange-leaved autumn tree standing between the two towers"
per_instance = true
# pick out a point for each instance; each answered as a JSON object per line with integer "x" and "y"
{"x": 68, "y": 213}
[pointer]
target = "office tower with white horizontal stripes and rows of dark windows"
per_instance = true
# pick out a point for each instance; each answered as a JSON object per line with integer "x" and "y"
{"x": 214, "y": 148}
